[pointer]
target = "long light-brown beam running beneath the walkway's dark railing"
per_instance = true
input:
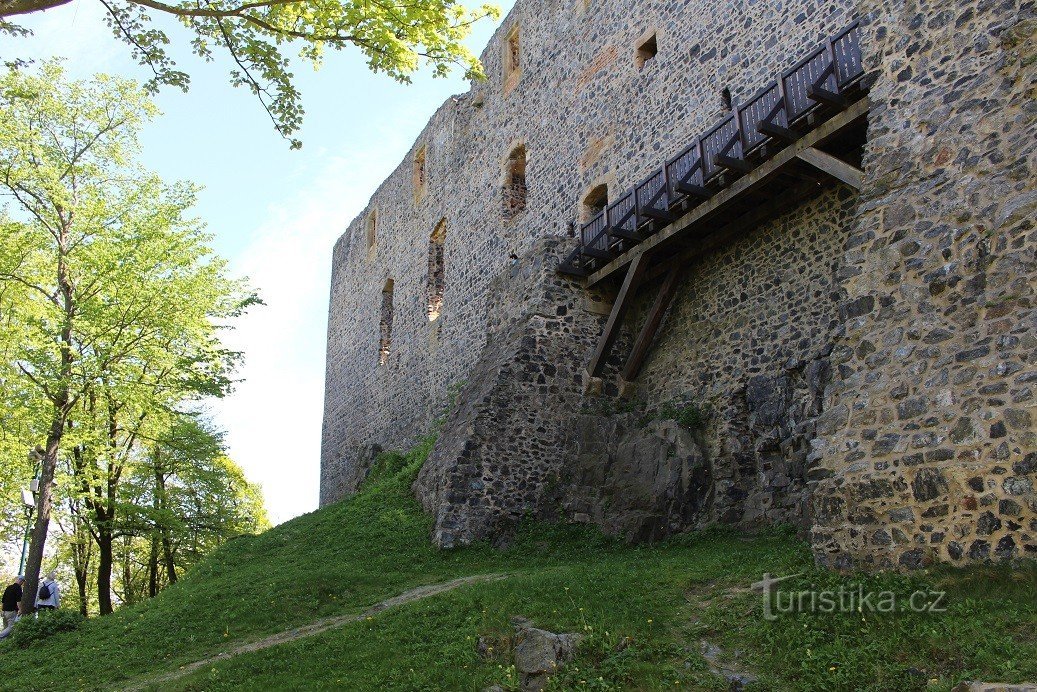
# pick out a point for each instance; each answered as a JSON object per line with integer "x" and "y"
{"x": 759, "y": 178}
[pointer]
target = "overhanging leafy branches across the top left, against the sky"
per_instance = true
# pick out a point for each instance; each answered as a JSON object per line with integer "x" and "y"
{"x": 394, "y": 35}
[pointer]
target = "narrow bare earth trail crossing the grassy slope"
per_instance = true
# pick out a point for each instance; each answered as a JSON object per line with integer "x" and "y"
{"x": 315, "y": 628}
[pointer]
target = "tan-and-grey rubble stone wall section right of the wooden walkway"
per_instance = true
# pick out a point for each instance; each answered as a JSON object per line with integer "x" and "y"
{"x": 929, "y": 440}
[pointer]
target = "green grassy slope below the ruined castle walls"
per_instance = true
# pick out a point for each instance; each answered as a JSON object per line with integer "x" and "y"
{"x": 665, "y": 598}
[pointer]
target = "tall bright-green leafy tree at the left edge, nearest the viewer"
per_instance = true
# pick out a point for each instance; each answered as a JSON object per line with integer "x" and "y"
{"x": 111, "y": 298}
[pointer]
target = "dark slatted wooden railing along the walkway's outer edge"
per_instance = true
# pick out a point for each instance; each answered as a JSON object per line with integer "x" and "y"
{"x": 825, "y": 81}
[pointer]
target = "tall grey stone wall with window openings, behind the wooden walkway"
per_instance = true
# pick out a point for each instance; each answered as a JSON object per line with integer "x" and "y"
{"x": 587, "y": 115}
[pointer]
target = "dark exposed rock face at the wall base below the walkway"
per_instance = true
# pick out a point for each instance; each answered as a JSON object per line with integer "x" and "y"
{"x": 643, "y": 478}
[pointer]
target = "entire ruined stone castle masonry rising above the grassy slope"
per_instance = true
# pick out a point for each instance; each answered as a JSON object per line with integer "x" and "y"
{"x": 694, "y": 264}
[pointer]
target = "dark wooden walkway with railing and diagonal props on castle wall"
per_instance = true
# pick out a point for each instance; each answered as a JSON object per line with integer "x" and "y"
{"x": 768, "y": 156}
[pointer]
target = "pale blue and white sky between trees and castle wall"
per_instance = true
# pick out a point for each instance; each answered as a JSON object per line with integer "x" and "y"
{"x": 275, "y": 213}
